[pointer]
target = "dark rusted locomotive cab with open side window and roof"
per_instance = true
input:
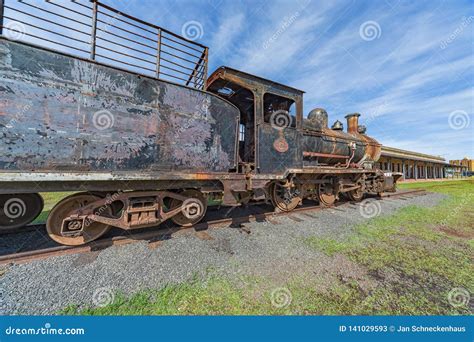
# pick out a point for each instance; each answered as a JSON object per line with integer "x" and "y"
{"x": 270, "y": 119}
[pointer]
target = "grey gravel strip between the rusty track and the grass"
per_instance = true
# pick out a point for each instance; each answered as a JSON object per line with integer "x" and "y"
{"x": 263, "y": 249}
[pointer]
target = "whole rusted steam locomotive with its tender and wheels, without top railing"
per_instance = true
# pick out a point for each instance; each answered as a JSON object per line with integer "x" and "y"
{"x": 140, "y": 150}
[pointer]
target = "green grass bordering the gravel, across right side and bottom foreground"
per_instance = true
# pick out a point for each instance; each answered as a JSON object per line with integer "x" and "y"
{"x": 415, "y": 257}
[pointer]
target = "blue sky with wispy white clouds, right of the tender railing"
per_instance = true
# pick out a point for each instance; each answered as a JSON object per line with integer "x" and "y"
{"x": 406, "y": 66}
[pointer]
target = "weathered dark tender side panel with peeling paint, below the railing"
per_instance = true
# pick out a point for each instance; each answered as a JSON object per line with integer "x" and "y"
{"x": 62, "y": 113}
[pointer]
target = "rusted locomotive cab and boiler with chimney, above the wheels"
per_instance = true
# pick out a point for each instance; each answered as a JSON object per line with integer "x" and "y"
{"x": 310, "y": 144}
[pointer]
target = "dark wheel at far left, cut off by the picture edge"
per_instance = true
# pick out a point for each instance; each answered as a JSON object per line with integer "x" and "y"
{"x": 18, "y": 210}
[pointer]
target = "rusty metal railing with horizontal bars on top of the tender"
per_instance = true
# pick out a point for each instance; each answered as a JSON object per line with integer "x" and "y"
{"x": 93, "y": 30}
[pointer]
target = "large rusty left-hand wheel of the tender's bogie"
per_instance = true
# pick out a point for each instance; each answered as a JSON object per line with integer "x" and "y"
{"x": 62, "y": 210}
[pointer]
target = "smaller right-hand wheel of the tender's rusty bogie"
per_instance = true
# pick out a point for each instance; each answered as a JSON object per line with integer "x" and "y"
{"x": 194, "y": 210}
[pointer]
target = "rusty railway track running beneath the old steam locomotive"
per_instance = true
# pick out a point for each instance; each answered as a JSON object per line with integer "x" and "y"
{"x": 156, "y": 235}
